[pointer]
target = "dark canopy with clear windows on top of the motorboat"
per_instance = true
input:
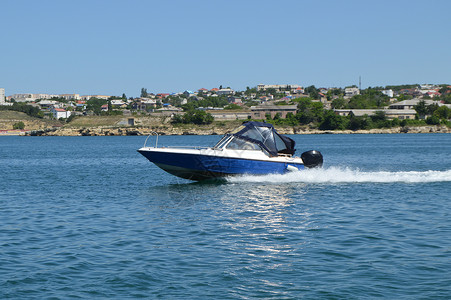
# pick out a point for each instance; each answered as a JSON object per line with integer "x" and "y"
{"x": 266, "y": 136}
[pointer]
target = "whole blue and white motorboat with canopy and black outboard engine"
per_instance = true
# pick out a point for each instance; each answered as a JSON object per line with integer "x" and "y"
{"x": 254, "y": 148}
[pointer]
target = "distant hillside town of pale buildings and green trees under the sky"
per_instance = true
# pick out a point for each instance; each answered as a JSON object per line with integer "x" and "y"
{"x": 289, "y": 104}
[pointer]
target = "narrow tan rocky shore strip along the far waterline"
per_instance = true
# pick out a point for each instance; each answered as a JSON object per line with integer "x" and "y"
{"x": 200, "y": 130}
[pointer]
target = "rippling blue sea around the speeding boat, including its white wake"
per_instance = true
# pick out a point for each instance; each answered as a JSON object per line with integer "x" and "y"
{"x": 90, "y": 218}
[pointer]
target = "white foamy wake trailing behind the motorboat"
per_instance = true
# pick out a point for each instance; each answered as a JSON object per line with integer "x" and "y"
{"x": 347, "y": 175}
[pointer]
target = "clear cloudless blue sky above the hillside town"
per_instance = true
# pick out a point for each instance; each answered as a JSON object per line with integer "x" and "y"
{"x": 113, "y": 47}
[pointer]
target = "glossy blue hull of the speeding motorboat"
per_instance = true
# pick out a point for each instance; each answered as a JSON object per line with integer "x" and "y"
{"x": 201, "y": 167}
